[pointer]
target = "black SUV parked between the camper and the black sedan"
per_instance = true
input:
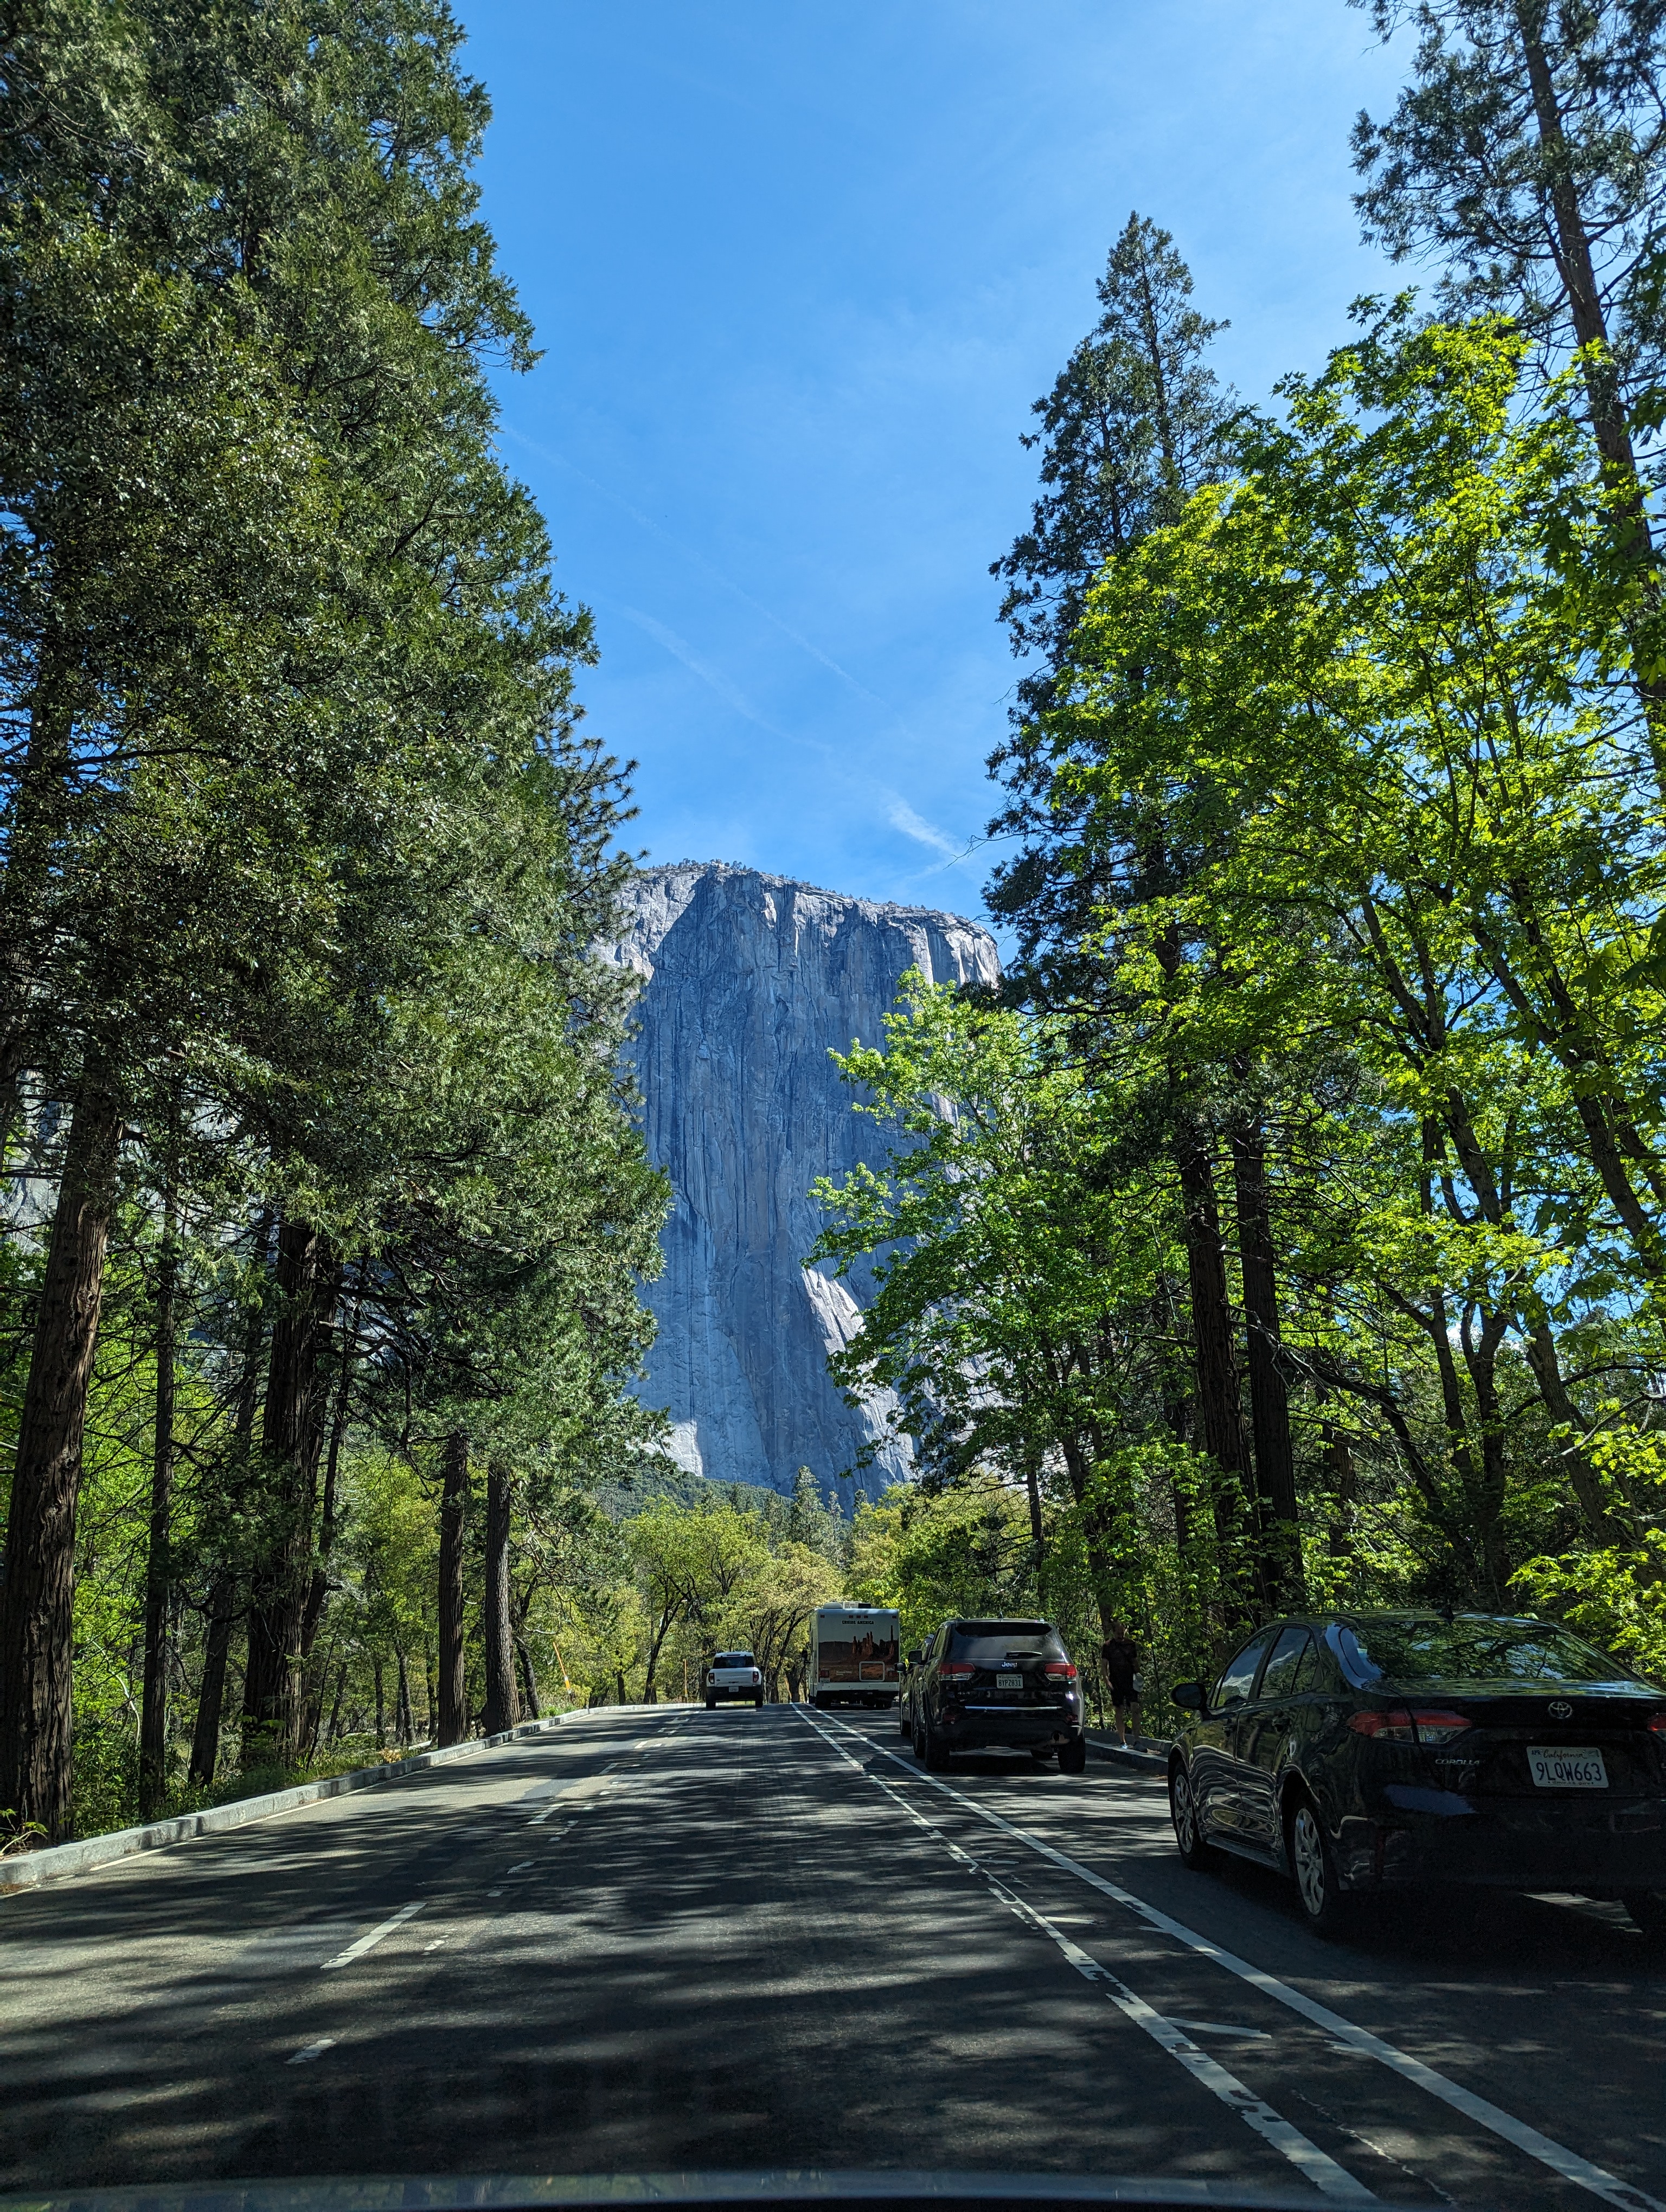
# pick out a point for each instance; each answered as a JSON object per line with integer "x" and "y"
{"x": 997, "y": 1684}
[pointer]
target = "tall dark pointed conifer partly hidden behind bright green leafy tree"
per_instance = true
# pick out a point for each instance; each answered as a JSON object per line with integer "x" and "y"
{"x": 1134, "y": 426}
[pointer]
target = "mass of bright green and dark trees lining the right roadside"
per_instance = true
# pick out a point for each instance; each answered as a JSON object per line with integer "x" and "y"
{"x": 1298, "y": 1220}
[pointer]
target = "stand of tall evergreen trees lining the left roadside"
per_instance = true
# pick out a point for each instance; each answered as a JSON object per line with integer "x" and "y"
{"x": 326, "y": 1207}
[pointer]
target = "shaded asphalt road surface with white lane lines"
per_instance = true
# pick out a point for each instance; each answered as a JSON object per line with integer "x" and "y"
{"x": 767, "y": 1939}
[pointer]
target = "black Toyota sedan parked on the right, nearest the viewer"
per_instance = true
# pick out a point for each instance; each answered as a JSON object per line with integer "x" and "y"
{"x": 1368, "y": 1751}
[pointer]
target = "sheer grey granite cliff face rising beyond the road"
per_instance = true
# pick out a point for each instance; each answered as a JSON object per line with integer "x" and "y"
{"x": 749, "y": 985}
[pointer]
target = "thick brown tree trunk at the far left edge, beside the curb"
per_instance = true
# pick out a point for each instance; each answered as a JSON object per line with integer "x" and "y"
{"x": 39, "y": 1594}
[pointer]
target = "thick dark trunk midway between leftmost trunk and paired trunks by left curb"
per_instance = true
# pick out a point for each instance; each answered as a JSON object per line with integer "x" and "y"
{"x": 291, "y": 1443}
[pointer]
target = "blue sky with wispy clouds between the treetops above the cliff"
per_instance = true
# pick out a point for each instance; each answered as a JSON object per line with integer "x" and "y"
{"x": 800, "y": 269}
